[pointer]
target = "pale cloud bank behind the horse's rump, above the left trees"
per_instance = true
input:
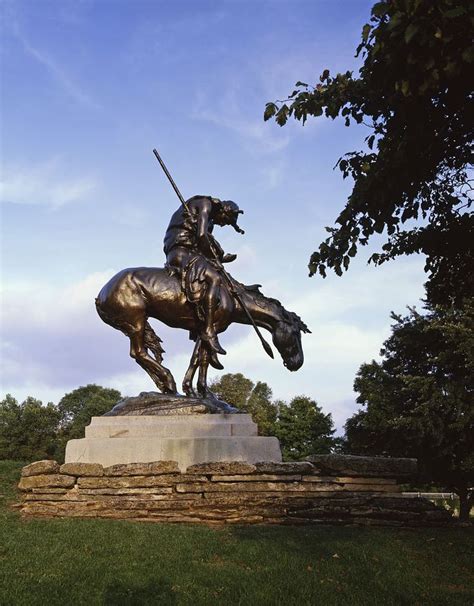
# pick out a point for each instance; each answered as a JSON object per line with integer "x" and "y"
{"x": 53, "y": 341}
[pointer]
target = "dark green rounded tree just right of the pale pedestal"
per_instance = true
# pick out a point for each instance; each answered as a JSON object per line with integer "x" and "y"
{"x": 303, "y": 429}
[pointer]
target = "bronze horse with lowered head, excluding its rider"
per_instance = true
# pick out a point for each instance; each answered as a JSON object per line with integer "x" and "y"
{"x": 136, "y": 294}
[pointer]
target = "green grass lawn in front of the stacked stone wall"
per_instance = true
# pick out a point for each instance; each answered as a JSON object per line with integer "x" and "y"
{"x": 49, "y": 562}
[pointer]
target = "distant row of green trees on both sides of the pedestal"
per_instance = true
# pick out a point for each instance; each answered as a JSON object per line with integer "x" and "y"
{"x": 32, "y": 431}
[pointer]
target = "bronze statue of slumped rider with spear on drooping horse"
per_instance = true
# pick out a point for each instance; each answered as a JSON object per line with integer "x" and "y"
{"x": 194, "y": 292}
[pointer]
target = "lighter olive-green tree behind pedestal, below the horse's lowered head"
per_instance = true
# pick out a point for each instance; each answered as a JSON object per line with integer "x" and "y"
{"x": 255, "y": 399}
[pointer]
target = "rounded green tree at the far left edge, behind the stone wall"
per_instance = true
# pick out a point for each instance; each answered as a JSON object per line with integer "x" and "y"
{"x": 27, "y": 430}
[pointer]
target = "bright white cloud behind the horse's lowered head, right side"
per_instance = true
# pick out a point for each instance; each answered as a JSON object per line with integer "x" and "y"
{"x": 349, "y": 318}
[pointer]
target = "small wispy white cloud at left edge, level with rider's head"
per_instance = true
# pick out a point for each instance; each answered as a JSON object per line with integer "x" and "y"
{"x": 41, "y": 184}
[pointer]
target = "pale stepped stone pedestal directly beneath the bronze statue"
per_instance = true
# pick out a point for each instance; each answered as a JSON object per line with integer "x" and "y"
{"x": 187, "y": 439}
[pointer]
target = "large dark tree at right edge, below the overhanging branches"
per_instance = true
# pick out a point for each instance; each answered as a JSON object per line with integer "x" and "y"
{"x": 419, "y": 400}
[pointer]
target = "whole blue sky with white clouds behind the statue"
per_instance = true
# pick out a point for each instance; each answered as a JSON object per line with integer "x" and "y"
{"x": 89, "y": 88}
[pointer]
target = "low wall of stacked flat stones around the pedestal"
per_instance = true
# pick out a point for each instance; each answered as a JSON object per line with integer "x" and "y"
{"x": 221, "y": 493}
